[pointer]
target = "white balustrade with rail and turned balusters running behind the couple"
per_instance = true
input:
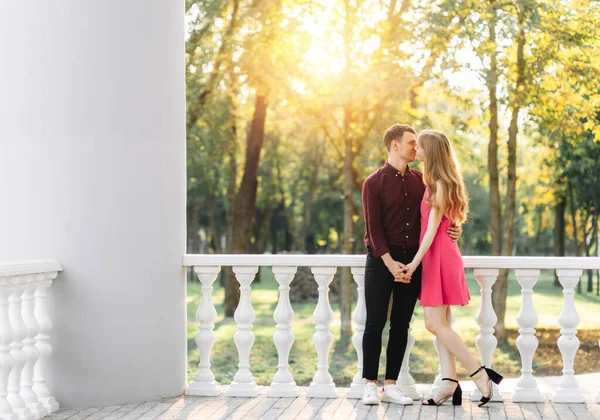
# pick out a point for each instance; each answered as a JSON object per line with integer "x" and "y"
{"x": 324, "y": 267}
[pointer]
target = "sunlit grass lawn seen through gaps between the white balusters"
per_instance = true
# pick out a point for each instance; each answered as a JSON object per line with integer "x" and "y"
{"x": 303, "y": 357}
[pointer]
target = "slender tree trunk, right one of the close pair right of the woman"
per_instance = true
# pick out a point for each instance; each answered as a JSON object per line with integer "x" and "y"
{"x": 500, "y": 288}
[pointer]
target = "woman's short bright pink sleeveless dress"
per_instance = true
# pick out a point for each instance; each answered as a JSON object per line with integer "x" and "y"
{"x": 443, "y": 274}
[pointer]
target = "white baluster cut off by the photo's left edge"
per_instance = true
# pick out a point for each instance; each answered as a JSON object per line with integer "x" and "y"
{"x": 6, "y": 360}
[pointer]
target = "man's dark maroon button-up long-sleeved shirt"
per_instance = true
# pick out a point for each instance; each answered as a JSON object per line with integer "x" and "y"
{"x": 391, "y": 205}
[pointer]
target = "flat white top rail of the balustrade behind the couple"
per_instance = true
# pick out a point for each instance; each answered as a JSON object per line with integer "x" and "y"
{"x": 339, "y": 260}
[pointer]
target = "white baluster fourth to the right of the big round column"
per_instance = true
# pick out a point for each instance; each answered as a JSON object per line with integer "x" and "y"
{"x": 322, "y": 385}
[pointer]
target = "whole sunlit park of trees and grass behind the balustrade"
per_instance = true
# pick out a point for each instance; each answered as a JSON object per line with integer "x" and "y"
{"x": 287, "y": 103}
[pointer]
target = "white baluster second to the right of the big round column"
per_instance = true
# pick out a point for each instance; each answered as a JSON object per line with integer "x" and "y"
{"x": 243, "y": 384}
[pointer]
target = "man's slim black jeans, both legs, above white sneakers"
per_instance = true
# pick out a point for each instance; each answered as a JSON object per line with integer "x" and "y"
{"x": 379, "y": 286}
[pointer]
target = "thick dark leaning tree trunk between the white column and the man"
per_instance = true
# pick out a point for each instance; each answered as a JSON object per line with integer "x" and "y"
{"x": 245, "y": 200}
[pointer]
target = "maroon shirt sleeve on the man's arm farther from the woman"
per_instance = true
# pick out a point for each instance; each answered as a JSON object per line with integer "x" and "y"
{"x": 373, "y": 218}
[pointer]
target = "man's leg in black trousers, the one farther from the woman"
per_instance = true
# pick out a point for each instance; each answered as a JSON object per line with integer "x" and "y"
{"x": 378, "y": 289}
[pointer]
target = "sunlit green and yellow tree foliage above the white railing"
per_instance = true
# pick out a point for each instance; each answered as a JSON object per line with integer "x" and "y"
{"x": 339, "y": 72}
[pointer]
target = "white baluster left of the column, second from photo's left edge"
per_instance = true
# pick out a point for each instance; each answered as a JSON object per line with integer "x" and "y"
{"x": 15, "y": 315}
